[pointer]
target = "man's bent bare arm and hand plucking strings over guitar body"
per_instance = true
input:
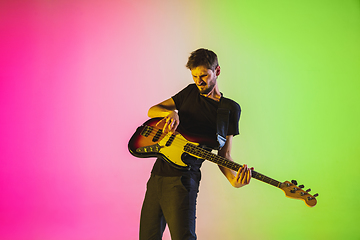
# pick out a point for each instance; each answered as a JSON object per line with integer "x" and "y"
{"x": 167, "y": 110}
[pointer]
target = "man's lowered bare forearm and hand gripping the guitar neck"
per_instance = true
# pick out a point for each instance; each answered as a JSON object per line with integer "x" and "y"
{"x": 243, "y": 176}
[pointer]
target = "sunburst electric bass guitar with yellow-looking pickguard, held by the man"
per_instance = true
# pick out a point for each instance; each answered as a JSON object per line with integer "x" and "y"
{"x": 149, "y": 140}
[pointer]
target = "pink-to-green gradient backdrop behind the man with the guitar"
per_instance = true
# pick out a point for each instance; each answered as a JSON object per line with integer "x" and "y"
{"x": 77, "y": 77}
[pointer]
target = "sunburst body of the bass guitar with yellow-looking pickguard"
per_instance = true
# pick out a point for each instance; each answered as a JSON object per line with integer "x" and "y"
{"x": 150, "y": 141}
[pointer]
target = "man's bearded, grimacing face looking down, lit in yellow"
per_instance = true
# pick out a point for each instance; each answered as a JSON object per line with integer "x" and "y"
{"x": 204, "y": 78}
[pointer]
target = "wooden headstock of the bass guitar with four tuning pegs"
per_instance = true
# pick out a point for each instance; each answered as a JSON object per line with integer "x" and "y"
{"x": 293, "y": 191}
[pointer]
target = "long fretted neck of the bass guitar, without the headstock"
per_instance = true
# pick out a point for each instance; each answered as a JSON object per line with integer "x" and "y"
{"x": 204, "y": 154}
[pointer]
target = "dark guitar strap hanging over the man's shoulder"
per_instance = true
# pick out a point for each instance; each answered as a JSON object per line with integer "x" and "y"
{"x": 222, "y": 121}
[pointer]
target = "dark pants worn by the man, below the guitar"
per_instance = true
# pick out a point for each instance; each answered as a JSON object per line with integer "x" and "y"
{"x": 170, "y": 200}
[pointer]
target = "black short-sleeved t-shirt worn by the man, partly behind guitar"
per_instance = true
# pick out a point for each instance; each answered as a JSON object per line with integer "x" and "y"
{"x": 197, "y": 116}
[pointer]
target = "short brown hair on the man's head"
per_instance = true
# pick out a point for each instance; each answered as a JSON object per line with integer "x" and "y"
{"x": 202, "y": 57}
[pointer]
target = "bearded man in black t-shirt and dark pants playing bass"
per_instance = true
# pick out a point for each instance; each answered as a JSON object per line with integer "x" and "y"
{"x": 171, "y": 193}
